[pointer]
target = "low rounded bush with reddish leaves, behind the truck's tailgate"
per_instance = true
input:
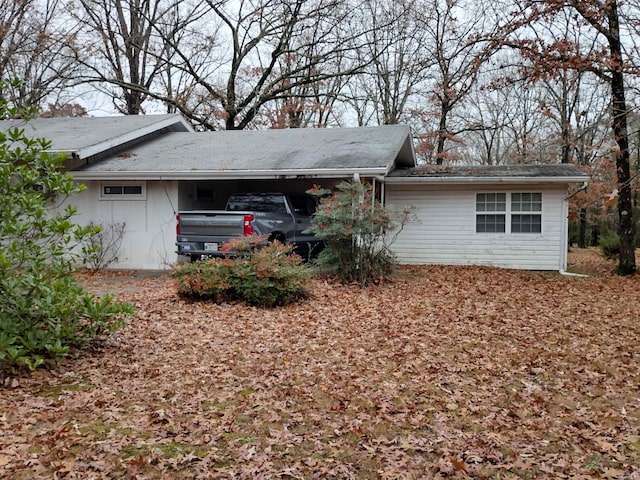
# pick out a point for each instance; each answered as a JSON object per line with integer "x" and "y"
{"x": 263, "y": 276}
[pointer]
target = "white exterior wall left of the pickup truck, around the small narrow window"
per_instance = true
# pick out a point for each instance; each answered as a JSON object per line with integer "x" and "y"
{"x": 150, "y": 234}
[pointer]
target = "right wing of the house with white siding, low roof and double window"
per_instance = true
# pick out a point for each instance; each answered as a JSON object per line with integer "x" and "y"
{"x": 503, "y": 216}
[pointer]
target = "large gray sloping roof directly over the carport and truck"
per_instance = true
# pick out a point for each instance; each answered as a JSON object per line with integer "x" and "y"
{"x": 304, "y": 152}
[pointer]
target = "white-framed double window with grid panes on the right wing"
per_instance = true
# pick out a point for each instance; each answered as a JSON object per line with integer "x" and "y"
{"x": 522, "y": 214}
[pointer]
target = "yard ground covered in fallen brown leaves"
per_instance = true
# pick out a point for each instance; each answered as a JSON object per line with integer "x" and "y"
{"x": 445, "y": 372}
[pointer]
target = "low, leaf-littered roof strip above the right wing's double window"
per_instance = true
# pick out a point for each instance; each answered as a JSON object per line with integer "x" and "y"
{"x": 488, "y": 174}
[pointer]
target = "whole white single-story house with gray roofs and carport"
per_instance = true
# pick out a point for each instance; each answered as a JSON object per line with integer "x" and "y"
{"x": 141, "y": 170}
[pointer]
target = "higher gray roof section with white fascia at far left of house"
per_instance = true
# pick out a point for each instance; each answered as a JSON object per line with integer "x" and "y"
{"x": 84, "y": 137}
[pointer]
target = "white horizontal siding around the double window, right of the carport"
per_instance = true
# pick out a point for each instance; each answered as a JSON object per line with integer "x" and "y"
{"x": 445, "y": 230}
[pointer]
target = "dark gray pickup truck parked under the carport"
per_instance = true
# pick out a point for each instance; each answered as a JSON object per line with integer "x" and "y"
{"x": 281, "y": 216}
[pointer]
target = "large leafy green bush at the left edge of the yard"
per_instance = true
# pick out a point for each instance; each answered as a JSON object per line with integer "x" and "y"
{"x": 44, "y": 311}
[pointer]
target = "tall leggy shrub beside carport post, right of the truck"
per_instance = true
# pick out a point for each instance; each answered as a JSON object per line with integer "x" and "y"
{"x": 356, "y": 230}
